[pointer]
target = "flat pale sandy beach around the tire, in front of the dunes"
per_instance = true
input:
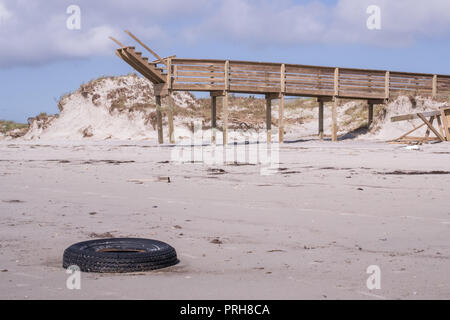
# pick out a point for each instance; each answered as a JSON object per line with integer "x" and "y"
{"x": 307, "y": 231}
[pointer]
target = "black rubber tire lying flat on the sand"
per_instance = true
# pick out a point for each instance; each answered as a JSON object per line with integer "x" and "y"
{"x": 120, "y": 255}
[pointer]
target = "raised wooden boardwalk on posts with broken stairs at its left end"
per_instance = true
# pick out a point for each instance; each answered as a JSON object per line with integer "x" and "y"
{"x": 276, "y": 81}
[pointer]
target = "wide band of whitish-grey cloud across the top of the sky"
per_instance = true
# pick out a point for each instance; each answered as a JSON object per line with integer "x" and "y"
{"x": 35, "y": 31}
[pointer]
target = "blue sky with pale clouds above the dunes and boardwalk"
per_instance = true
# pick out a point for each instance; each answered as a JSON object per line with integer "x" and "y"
{"x": 43, "y": 56}
